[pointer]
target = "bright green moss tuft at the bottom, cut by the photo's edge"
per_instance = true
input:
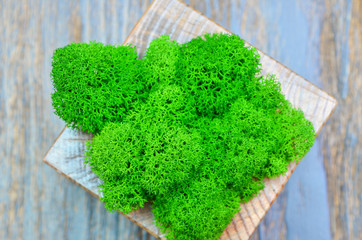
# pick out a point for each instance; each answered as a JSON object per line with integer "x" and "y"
{"x": 201, "y": 210}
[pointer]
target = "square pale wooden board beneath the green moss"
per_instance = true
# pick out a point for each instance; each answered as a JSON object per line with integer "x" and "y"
{"x": 183, "y": 23}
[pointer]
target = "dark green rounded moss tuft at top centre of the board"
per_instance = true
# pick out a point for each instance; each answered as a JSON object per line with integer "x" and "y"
{"x": 215, "y": 71}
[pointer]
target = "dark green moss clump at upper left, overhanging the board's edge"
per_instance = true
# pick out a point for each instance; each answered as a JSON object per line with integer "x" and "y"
{"x": 95, "y": 84}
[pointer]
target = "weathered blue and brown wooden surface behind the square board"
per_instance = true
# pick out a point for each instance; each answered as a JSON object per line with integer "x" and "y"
{"x": 319, "y": 39}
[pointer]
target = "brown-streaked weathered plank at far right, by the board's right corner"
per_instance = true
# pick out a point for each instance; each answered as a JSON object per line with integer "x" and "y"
{"x": 341, "y": 49}
